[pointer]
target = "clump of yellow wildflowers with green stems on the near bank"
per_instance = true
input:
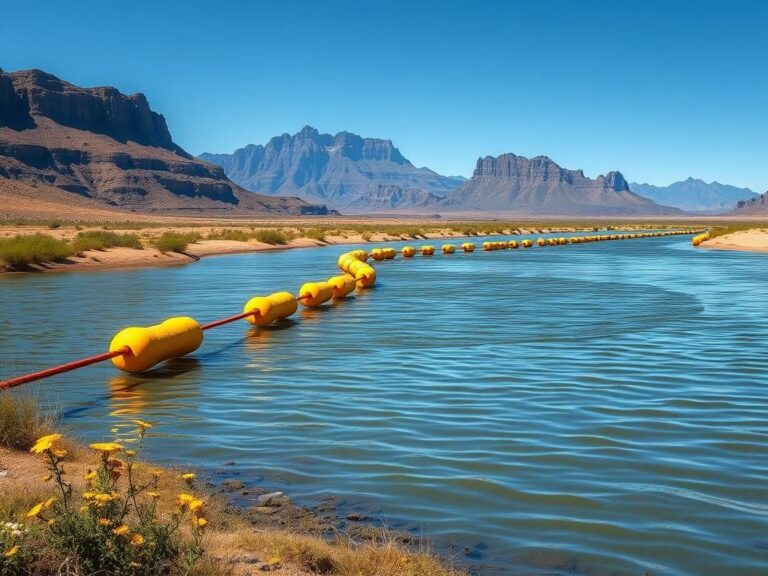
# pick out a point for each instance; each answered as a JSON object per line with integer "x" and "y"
{"x": 115, "y": 525}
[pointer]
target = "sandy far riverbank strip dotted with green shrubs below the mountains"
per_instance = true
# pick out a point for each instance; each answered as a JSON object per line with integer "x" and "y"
{"x": 20, "y": 250}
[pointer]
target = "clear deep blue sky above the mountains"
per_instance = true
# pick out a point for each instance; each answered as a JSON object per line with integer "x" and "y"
{"x": 660, "y": 90}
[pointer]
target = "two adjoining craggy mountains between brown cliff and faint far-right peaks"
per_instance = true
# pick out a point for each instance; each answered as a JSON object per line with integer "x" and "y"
{"x": 355, "y": 174}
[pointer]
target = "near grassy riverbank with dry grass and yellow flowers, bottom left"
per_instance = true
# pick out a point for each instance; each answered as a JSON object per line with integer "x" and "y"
{"x": 71, "y": 509}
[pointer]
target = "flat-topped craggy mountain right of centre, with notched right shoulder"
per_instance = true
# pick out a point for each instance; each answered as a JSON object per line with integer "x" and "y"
{"x": 539, "y": 186}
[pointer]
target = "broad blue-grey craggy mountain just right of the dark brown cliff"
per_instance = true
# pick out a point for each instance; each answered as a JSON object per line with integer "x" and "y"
{"x": 345, "y": 171}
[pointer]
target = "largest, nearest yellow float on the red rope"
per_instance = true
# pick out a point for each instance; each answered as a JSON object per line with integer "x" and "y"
{"x": 151, "y": 345}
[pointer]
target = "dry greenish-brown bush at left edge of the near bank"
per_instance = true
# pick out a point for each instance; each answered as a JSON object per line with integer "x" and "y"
{"x": 21, "y": 421}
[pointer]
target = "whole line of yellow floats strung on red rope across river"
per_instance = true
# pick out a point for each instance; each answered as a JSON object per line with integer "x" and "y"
{"x": 136, "y": 349}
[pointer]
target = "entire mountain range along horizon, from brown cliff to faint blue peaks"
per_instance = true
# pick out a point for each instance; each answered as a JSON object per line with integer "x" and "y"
{"x": 97, "y": 148}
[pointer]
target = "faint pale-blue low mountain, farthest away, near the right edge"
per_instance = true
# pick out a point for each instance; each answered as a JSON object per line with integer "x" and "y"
{"x": 695, "y": 195}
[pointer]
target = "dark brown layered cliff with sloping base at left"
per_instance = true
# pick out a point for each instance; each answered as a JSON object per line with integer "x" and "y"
{"x": 111, "y": 147}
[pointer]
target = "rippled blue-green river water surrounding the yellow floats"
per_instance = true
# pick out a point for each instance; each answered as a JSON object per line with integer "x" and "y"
{"x": 597, "y": 408}
